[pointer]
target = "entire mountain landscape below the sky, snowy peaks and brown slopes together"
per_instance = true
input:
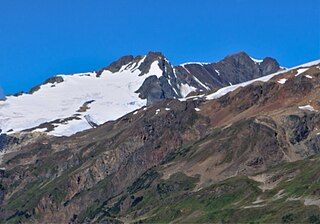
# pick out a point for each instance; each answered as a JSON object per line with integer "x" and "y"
{"x": 143, "y": 141}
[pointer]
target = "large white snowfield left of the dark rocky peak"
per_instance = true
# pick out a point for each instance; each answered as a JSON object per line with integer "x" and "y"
{"x": 113, "y": 94}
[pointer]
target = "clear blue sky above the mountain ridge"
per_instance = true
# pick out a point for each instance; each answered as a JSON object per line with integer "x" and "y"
{"x": 41, "y": 38}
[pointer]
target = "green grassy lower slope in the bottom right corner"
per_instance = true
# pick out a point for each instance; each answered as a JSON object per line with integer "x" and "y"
{"x": 237, "y": 199}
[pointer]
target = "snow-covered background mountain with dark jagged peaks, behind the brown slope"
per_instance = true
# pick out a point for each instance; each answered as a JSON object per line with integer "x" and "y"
{"x": 66, "y": 104}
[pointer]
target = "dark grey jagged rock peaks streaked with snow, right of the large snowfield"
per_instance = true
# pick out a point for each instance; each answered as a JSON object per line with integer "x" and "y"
{"x": 201, "y": 77}
